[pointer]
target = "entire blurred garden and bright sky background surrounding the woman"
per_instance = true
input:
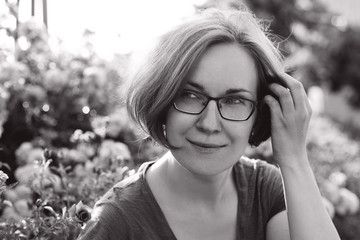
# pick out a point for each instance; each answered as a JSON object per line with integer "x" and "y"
{"x": 65, "y": 137}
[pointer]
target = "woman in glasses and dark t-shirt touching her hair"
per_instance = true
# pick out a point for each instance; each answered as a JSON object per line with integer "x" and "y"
{"x": 211, "y": 87}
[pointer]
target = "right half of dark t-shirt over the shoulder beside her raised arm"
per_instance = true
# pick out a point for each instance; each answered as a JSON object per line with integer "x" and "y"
{"x": 260, "y": 184}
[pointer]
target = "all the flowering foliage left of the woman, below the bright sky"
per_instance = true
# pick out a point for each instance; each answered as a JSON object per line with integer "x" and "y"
{"x": 66, "y": 138}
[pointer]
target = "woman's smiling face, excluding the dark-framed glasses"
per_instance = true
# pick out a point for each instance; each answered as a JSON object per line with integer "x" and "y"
{"x": 207, "y": 144}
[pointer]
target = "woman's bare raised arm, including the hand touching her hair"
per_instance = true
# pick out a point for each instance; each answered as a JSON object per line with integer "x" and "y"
{"x": 290, "y": 116}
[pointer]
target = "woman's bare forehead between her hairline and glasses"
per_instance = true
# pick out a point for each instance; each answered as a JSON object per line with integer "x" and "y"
{"x": 224, "y": 68}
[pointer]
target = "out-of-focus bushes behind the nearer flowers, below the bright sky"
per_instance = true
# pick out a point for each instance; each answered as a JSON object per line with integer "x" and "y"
{"x": 47, "y": 93}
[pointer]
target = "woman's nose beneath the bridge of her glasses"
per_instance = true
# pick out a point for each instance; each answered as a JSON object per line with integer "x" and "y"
{"x": 210, "y": 119}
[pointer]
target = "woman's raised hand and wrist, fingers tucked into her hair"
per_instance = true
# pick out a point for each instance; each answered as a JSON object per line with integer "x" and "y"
{"x": 290, "y": 117}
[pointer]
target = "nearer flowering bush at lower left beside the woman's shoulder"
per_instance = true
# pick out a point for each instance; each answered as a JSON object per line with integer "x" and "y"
{"x": 57, "y": 188}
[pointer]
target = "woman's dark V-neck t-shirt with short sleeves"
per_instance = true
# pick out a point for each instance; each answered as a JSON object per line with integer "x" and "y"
{"x": 129, "y": 211}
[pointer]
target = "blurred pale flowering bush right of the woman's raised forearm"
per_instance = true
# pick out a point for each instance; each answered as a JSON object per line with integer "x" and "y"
{"x": 335, "y": 159}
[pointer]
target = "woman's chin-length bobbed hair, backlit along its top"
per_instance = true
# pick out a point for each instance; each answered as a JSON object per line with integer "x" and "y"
{"x": 157, "y": 81}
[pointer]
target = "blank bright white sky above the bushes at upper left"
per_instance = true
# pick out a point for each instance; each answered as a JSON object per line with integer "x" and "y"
{"x": 134, "y": 20}
